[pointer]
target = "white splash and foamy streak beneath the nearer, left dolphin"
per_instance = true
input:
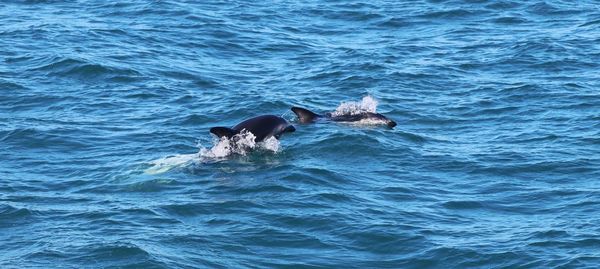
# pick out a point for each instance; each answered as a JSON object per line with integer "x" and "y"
{"x": 240, "y": 144}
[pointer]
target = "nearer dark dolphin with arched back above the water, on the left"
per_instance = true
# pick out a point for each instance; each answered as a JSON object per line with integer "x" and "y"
{"x": 262, "y": 127}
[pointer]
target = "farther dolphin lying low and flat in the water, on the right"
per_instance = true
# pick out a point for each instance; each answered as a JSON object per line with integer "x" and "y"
{"x": 307, "y": 116}
